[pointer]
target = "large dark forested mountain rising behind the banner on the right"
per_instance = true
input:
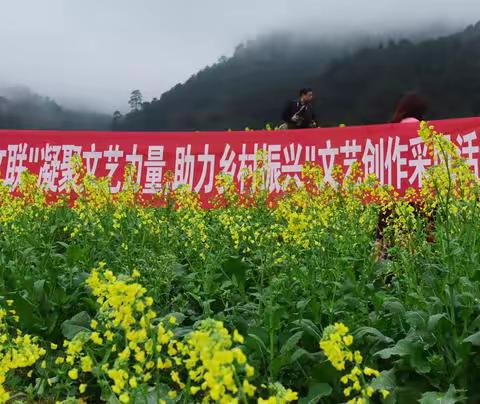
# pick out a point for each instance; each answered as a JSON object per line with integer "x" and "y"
{"x": 355, "y": 83}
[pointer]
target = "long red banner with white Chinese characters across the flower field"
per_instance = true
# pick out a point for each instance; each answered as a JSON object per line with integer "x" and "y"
{"x": 393, "y": 152}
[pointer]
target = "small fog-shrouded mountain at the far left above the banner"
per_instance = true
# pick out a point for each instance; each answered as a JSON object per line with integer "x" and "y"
{"x": 20, "y": 108}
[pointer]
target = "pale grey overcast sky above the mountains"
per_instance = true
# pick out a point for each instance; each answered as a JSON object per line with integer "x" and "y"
{"x": 95, "y": 52}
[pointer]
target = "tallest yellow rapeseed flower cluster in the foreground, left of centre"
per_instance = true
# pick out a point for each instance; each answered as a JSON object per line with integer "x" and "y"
{"x": 139, "y": 349}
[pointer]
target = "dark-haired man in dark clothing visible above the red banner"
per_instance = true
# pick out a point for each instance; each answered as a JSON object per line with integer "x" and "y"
{"x": 299, "y": 114}
